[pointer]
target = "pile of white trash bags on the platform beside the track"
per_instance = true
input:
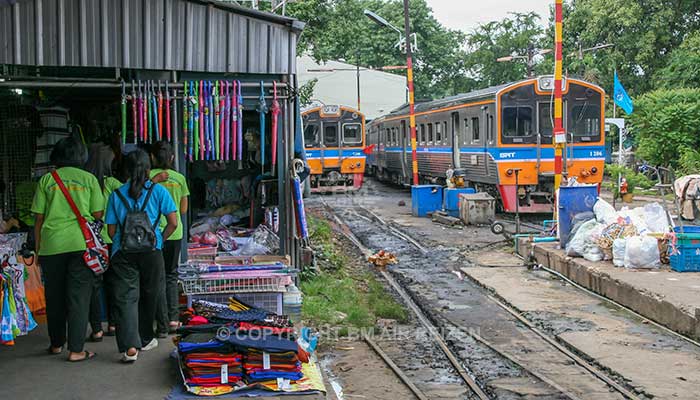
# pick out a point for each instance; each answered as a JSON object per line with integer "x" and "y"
{"x": 627, "y": 237}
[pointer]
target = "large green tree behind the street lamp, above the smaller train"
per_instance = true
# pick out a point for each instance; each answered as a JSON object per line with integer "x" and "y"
{"x": 337, "y": 29}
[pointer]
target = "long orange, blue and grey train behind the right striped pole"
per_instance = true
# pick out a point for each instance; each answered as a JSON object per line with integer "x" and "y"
{"x": 493, "y": 137}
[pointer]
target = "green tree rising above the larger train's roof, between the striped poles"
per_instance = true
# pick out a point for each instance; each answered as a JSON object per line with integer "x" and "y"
{"x": 509, "y": 36}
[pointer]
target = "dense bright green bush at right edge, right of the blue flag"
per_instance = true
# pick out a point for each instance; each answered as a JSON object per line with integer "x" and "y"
{"x": 666, "y": 125}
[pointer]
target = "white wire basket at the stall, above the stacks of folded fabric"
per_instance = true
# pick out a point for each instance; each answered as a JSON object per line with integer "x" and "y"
{"x": 235, "y": 285}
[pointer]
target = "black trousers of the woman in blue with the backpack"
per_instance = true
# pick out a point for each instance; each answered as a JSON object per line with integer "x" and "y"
{"x": 136, "y": 281}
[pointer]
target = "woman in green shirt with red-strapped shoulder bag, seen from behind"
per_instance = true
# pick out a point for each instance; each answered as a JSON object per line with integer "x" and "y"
{"x": 68, "y": 282}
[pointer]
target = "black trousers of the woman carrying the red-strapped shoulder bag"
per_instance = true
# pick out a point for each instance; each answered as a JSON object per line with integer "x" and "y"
{"x": 68, "y": 286}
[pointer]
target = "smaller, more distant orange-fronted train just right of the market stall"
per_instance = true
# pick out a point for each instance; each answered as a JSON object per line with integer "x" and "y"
{"x": 334, "y": 142}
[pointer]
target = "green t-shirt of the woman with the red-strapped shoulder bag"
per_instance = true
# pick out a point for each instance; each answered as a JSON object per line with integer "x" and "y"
{"x": 61, "y": 232}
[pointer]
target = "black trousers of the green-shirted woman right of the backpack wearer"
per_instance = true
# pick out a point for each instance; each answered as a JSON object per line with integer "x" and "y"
{"x": 169, "y": 299}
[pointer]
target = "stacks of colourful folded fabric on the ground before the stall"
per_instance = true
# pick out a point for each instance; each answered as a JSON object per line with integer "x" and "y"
{"x": 225, "y": 347}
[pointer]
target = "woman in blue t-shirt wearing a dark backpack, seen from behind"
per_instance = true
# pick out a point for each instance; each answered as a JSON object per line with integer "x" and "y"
{"x": 136, "y": 277}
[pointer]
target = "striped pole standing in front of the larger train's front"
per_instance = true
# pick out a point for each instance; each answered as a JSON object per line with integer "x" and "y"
{"x": 559, "y": 132}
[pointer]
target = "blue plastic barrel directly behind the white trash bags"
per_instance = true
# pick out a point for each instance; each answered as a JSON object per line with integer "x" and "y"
{"x": 573, "y": 200}
